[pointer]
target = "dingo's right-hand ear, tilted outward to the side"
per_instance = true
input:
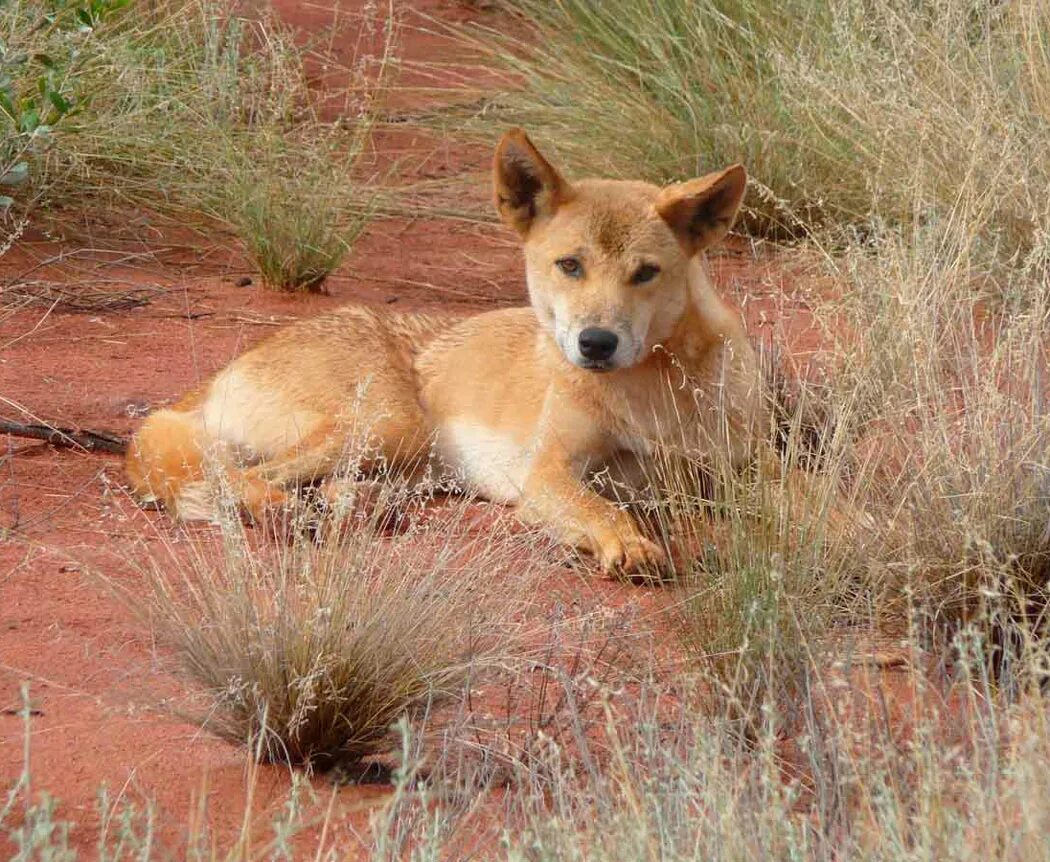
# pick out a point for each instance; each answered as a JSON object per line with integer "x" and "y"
{"x": 702, "y": 212}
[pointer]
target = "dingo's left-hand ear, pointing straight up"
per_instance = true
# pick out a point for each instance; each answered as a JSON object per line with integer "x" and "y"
{"x": 528, "y": 187}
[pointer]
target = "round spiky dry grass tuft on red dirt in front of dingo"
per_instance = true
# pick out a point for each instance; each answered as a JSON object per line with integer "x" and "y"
{"x": 310, "y": 649}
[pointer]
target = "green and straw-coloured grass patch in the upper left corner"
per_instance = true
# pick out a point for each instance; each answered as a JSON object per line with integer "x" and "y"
{"x": 201, "y": 113}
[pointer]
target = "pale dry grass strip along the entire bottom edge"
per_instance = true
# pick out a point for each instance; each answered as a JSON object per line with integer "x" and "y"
{"x": 964, "y": 780}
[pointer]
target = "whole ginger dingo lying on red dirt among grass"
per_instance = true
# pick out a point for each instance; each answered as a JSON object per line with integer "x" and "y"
{"x": 626, "y": 347}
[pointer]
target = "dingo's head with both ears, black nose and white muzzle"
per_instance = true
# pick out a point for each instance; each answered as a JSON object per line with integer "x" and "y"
{"x": 607, "y": 262}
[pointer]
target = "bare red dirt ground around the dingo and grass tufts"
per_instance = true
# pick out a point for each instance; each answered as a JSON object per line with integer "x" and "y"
{"x": 100, "y": 687}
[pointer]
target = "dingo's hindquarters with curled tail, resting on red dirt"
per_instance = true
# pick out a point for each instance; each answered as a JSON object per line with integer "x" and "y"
{"x": 339, "y": 391}
